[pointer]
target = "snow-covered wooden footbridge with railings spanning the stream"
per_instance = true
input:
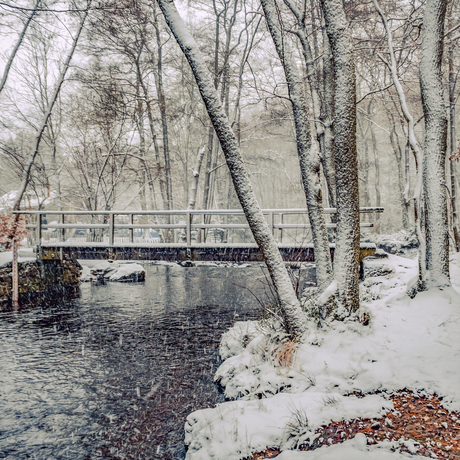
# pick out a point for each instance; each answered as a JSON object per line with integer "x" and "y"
{"x": 175, "y": 235}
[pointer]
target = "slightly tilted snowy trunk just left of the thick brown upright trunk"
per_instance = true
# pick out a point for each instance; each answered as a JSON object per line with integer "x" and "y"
{"x": 308, "y": 155}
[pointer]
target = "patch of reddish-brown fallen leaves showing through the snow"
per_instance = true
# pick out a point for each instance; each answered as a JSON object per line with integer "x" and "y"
{"x": 415, "y": 417}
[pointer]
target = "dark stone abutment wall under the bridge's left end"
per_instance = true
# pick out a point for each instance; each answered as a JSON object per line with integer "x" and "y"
{"x": 39, "y": 277}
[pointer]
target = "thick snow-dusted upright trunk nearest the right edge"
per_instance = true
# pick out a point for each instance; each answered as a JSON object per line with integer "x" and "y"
{"x": 435, "y": 145}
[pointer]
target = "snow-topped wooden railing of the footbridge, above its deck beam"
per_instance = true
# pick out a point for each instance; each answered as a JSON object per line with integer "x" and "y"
{"x": 103, "y": 226}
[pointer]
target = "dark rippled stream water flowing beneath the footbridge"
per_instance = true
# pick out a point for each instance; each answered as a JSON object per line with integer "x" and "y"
{"x": 112, "y": 371}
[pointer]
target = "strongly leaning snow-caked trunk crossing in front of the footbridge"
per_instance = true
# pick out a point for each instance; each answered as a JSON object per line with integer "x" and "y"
{"x": 295, "y": 319}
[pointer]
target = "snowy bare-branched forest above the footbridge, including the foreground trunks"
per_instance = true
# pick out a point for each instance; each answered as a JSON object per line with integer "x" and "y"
{"x": 131, "y": 105}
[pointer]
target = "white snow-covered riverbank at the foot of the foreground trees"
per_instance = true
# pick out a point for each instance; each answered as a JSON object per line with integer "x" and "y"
{"x": 409, "y": 343}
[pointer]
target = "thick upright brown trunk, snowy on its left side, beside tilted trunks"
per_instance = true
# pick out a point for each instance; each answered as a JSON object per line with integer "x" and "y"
{"x": 346, "y": 259}
